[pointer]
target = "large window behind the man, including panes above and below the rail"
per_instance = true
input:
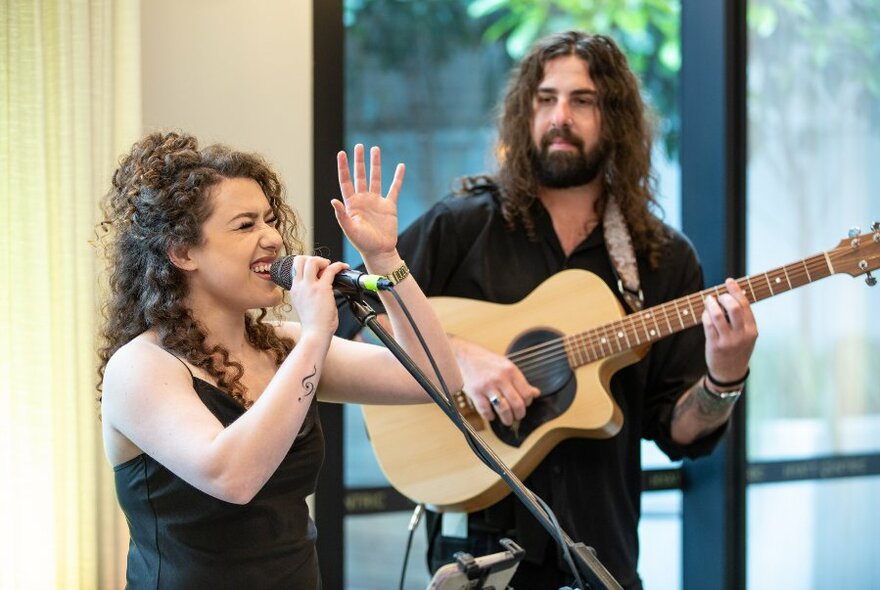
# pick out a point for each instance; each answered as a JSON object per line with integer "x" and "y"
{"x": 422, "y": 80}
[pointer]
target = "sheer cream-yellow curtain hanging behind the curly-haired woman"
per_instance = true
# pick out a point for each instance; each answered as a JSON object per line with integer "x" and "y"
{"x": 69, "y": 104}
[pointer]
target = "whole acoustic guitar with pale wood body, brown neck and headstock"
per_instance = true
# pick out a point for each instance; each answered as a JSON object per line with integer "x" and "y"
{"x": 559, "y": 336}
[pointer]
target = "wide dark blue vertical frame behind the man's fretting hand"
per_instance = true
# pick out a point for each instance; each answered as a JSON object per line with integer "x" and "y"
{"x": 713, "y": 197}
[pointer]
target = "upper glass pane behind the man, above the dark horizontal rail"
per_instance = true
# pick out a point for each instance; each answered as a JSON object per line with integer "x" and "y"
{"x": 434, "y": 108}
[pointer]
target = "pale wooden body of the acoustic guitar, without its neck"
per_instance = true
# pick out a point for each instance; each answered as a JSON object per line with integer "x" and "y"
{"x": 426, "y": 457}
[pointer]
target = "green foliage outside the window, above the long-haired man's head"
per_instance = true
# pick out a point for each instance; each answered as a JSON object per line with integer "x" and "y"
{"x": 400, "y": 33}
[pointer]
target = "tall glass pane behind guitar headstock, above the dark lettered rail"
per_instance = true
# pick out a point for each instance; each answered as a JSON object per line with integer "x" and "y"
{"x": 814, "y": 129}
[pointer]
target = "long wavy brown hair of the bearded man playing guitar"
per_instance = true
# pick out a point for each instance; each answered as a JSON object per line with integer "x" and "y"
{"x": 625, "y": 131}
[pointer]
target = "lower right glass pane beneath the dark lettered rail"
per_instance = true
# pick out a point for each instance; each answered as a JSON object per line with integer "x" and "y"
{"x": 814, "y": 535}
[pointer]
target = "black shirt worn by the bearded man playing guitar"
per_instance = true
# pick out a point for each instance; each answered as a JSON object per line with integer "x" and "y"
{"x": 462, "y": 247}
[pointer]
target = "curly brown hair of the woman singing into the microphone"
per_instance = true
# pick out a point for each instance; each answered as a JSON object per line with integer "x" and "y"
{"x": 161, "y": 195}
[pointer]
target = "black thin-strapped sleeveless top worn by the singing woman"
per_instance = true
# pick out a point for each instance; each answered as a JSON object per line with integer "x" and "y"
{"x": 184, "y": 538}
